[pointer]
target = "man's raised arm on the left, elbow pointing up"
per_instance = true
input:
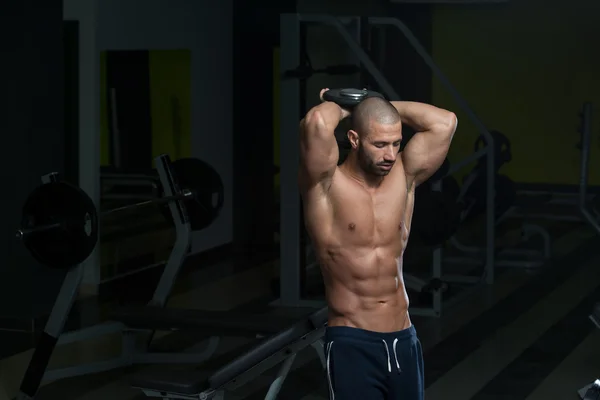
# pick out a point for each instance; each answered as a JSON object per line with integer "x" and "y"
{"x": 319, "y": 151}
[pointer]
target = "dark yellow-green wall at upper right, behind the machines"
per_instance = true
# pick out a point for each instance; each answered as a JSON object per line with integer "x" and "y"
{"x": 525, "y": 68}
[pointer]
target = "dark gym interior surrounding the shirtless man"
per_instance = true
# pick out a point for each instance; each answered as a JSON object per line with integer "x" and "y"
{"x": 155, "y": 240}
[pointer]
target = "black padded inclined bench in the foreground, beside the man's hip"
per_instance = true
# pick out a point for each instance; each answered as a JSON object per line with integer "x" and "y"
{"x": 281, "y": 348}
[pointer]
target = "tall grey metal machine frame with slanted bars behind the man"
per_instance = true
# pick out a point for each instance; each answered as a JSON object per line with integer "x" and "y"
{"x": 291, "y": 268}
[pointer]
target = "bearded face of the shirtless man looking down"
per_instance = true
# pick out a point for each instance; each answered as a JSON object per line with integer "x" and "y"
{"x": 379, "y": 147}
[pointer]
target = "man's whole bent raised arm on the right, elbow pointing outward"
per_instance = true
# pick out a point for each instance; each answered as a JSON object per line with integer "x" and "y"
{"x": 427, "y": 149}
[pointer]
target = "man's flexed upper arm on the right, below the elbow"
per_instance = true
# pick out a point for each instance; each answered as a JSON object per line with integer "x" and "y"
{"x": 423, "y": 155}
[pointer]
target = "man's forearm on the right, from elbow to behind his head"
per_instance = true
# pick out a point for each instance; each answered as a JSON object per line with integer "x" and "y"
{"x": 423, "y": 117}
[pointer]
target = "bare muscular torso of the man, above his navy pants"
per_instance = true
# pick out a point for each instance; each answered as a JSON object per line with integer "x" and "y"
{"x": 359, "y": 236}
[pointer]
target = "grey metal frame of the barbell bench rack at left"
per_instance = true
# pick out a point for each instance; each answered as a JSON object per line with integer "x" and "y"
{"x": 53, "y": 335}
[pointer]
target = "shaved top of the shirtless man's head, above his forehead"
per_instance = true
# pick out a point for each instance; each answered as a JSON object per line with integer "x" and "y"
{"x": 373, "y": 110}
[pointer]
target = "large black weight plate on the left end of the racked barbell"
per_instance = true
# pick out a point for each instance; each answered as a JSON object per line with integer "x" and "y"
{"x": 74, "y": 241}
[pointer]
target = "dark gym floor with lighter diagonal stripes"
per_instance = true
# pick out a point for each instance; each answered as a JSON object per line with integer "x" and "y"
{"x": 527, "y": 337}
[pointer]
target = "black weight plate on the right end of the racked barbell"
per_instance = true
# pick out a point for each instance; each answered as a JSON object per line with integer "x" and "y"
{"x": 207, "y": 186}
